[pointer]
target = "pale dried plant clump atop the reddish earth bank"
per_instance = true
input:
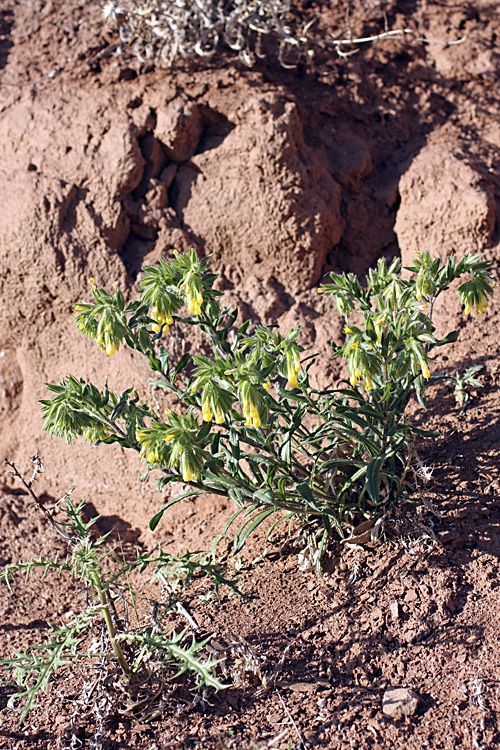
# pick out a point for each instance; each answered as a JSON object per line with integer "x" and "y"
{"x": 160, "y": 31}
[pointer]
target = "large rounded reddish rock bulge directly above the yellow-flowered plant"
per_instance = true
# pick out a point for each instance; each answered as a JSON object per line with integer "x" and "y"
{"x": 262, "y": 194}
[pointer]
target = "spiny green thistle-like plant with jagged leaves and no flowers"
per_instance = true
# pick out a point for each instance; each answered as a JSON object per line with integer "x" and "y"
{"x": 133, "y": 649}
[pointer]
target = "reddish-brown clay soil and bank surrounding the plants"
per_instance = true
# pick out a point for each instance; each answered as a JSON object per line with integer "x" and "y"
{"x": 282, "y": 175}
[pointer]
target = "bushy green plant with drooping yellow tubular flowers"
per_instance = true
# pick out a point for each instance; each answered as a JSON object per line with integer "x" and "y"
{"x": 250, "y": 425}
